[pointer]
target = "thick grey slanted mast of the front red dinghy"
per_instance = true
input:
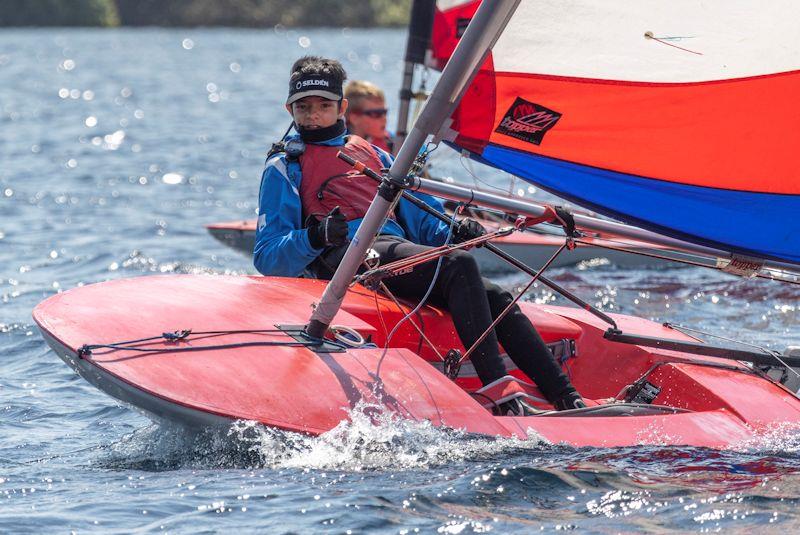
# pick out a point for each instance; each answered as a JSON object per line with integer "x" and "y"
{"x": 481, "y": 34}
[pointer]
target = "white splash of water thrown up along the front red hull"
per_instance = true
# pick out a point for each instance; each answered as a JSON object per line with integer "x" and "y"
{"x": 370, "y": 440}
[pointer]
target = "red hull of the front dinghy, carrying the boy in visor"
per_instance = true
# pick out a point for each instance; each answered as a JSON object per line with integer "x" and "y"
{"x": 702, "y": 401}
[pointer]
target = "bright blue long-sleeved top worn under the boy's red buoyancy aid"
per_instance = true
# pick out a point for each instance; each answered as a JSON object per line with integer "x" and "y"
{"x": 282, "y": 247}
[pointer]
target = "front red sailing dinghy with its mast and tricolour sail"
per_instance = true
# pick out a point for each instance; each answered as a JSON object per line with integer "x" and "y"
{"x": 244, "y": 347}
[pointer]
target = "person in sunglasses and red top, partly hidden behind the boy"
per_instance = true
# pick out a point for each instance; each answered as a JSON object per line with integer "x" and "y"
{"x": 366, "y": 113}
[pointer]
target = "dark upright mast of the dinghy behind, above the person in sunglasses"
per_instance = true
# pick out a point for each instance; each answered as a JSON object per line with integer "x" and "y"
{"x": 419, "y": 36}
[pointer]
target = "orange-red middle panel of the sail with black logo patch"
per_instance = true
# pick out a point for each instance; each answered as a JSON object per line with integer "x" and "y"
{"x": 712, "y": 134}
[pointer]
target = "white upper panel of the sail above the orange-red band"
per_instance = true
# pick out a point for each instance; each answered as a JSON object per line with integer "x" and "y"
{"x": 605, "y": 39}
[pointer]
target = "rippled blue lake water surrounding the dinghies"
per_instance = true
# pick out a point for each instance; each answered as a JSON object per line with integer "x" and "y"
{"x": 116, "y": 147}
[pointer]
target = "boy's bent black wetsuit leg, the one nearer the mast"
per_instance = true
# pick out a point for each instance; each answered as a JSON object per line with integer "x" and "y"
{"x": 459, "y": 288}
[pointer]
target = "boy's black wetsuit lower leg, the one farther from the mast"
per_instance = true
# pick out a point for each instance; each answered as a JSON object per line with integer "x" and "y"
{"x": 525, "y": 346}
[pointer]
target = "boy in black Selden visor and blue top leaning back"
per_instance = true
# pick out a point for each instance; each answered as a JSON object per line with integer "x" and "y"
{"x": 311, "y": 203}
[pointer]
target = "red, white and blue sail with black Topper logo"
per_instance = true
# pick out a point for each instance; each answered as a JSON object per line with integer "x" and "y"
{"x": 681, "y": 117}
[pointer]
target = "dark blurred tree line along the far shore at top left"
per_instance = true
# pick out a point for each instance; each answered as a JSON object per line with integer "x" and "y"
{"x": 250, "y": 13}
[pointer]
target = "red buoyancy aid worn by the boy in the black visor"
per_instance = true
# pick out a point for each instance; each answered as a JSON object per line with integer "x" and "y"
{"x": 328, "y": 182}
